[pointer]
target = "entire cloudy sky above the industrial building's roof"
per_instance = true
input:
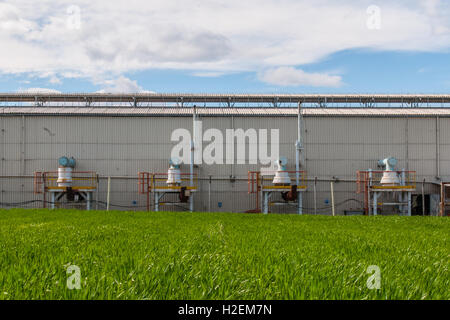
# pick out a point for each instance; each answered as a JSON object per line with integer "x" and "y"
{"x": 225, "y": 46}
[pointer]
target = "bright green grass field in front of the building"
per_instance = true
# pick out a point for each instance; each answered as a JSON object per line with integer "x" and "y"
{"x": 139, "y": 255}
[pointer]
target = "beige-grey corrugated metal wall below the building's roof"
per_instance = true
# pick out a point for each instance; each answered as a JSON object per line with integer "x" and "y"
{"x": 122, "y": 146}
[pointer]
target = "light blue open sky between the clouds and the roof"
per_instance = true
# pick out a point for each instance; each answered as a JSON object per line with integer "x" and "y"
{"x": 362, "y": 72}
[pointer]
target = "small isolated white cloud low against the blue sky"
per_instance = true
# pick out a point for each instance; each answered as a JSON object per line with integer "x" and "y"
{"x": 288, "y": 76}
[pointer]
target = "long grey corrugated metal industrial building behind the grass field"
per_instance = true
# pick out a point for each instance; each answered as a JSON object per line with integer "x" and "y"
{"x": 115, "y": 137}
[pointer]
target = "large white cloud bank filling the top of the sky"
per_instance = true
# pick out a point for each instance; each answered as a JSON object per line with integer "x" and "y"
{"x": 210, "y": 37}
